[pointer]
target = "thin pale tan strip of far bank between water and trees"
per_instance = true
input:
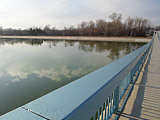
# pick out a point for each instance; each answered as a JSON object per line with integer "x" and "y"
{"x": 83, "y": 38}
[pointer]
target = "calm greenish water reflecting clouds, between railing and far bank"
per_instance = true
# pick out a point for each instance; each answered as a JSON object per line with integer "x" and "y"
{"x": 32, "y": 68}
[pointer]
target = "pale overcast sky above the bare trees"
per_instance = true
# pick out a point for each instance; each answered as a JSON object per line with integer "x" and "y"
{"x": 59, "y": 13}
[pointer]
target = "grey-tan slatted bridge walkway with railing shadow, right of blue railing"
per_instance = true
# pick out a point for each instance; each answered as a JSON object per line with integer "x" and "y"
{"x": 146, "y": 105}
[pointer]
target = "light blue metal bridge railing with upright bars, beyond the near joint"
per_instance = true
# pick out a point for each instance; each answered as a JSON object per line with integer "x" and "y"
{"x": 95, "y": 96}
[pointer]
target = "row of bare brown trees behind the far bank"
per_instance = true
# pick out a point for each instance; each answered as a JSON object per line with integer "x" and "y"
{"x": 136, "y": 26}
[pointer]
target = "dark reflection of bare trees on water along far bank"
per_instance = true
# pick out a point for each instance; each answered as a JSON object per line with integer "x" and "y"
{"x": 114, "y": 47}
